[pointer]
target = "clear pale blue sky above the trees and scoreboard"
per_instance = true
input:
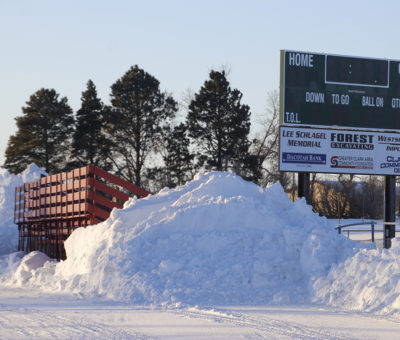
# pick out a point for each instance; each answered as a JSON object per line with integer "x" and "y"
{"x": 62, "y": 44}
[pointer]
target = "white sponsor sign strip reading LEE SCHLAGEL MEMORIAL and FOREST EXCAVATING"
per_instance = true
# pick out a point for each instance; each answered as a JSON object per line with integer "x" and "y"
{"x": 339, "y": 151}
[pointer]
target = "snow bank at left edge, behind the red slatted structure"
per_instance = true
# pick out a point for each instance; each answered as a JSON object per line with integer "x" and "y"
{"x": 8, "y": 182}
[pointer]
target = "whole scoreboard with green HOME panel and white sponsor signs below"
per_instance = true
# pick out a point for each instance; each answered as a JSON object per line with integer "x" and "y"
{"x": 336, "y": 112}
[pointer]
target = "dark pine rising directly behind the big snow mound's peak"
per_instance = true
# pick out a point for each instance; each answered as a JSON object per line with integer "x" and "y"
{"x": 219, "y": 125}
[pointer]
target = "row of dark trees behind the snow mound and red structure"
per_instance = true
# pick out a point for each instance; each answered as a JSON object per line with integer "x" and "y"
{"x": 139, "y": 136}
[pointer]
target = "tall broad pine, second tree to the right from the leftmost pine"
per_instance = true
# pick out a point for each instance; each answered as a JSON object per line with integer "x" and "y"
{"x": 139, "y": 113}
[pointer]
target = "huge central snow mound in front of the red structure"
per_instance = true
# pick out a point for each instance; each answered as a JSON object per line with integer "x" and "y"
{"x": 216, "y": 240}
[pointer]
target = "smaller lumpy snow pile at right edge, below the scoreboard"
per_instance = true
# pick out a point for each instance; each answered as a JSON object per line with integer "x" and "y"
{"x": 368, "y": 281}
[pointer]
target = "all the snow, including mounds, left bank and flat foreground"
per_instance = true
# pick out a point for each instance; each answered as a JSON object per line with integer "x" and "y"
{"x": 218, "y": 258}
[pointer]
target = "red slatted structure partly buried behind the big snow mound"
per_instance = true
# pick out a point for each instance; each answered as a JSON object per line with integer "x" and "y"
{"x": 49, "y": 209}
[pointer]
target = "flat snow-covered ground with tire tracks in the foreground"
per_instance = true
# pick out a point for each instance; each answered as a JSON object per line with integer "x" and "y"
{"x": 32, "y": 314}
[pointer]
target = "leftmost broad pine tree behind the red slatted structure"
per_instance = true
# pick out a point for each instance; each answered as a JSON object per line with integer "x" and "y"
{"x": 43, "y": 134}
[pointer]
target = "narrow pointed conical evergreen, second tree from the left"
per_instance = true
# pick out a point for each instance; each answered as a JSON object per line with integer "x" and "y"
{"x": 90, "y": 144}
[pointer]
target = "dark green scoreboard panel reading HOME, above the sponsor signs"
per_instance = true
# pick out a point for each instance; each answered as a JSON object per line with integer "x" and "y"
{"x": 324, "y": 90}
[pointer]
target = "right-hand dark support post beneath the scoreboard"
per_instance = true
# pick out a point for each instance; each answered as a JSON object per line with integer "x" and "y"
{"x": 389, "y": 230}
